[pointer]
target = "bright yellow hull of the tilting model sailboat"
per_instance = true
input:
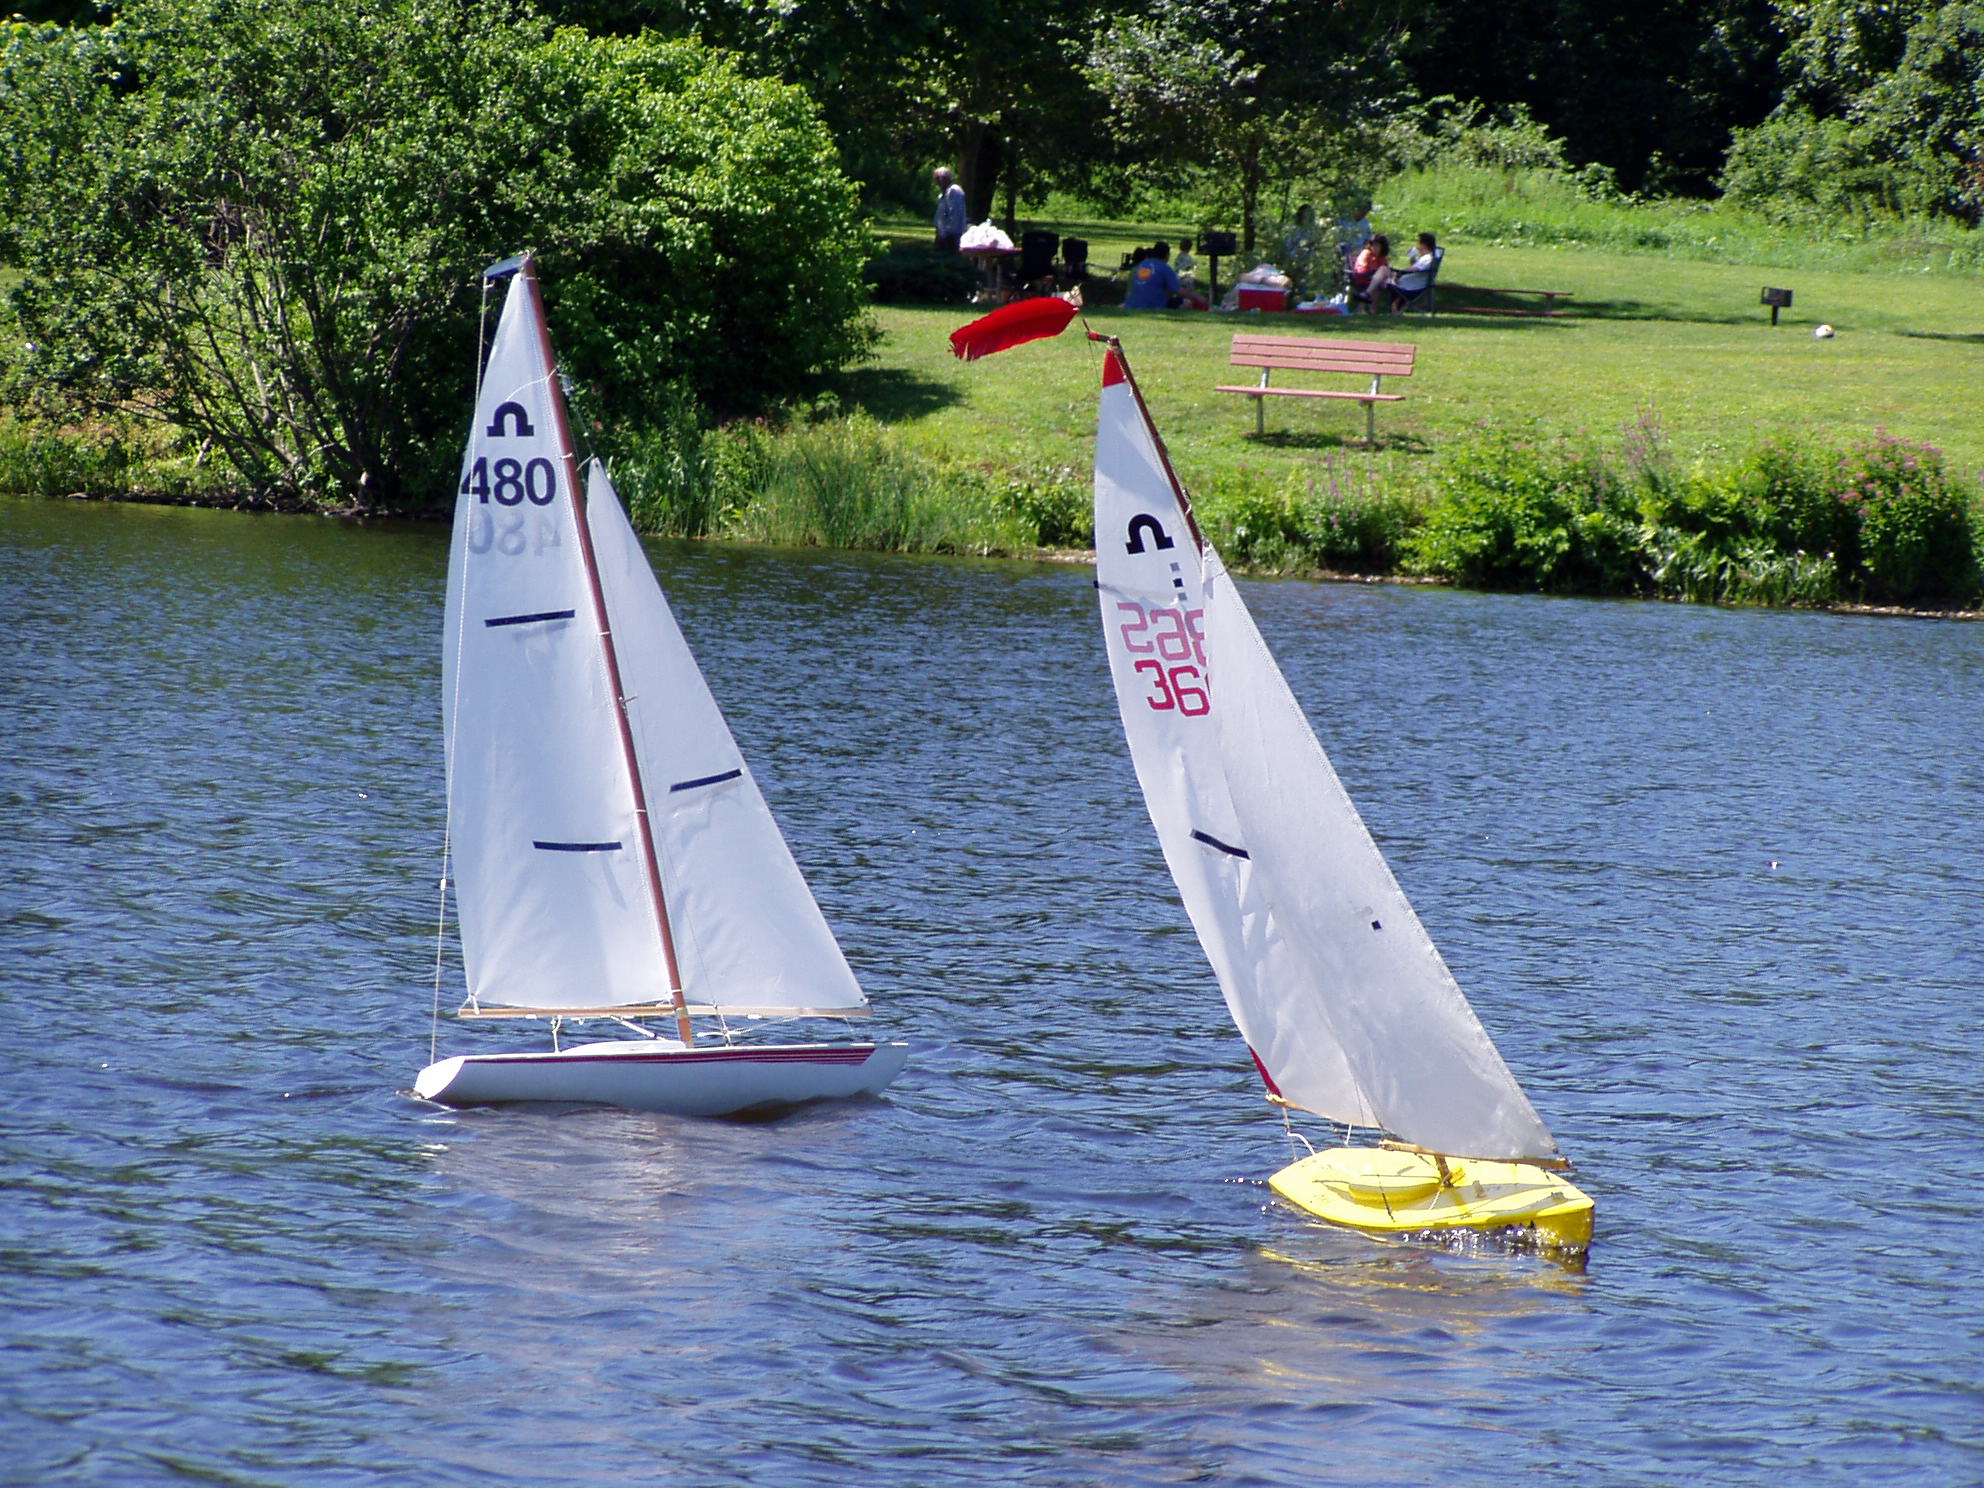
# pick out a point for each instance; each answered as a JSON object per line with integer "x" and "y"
{"x": 1390, "y": 1191}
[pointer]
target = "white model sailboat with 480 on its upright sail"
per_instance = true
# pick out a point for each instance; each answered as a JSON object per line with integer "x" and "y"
{"x": 612, "y": 854}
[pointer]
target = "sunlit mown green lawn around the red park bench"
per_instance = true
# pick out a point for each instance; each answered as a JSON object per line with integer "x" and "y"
{"x": 1683, "y": 340}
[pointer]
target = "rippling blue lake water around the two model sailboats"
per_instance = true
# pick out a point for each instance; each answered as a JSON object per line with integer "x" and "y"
{"x": 1711, "y": 878}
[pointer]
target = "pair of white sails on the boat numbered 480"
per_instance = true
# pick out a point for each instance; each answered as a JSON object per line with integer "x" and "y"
{"x": 553, "y": 892}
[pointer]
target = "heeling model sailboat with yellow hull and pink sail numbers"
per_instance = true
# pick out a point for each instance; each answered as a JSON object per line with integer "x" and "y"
{"x": 1336, "y": 987}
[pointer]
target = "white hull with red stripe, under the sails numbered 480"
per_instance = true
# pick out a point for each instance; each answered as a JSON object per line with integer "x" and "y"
{"x": 664, "y": 1076}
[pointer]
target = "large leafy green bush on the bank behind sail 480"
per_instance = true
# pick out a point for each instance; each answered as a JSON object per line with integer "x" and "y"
{"x": 265, "y": 223}
